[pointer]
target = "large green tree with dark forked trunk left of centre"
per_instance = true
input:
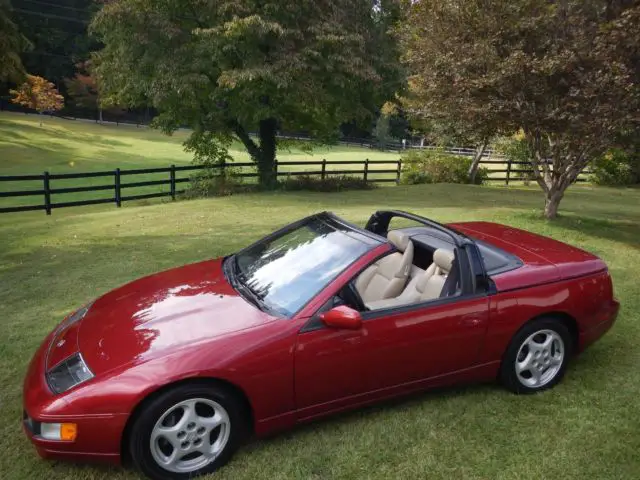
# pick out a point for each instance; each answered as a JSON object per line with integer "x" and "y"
{"x": 234, "y": 67}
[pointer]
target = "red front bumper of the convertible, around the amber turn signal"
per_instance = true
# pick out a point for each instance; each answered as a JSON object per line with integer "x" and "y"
{"x": 99, "y": 435}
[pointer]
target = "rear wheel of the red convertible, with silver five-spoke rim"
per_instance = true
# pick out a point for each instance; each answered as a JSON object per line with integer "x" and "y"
{"x": 537, "y": 357}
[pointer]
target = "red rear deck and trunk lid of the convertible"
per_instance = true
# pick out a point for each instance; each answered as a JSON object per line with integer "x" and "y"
{"x": 544, "y": 259}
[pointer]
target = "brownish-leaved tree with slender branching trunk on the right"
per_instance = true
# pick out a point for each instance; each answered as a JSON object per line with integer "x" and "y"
{"x": 565, "y": 72}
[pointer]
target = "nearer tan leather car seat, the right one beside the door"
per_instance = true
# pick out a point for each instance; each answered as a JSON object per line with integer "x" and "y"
{"x": 424, "y": 286}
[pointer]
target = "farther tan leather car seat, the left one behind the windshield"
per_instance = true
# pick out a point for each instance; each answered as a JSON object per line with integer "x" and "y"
{"x": 388, "y": 276}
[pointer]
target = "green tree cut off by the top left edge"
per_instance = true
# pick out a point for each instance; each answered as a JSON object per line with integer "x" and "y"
{"x": 12, "y": 44}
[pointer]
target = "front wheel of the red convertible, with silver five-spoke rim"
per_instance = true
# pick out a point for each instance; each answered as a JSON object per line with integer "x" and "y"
{"x": 199, "y": 426}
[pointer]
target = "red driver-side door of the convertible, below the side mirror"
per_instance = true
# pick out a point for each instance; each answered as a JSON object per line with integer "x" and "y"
{"x": 394, "y": 349}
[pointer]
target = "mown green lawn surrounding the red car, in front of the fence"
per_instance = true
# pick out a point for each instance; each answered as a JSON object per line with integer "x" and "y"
{"x": 588, "y": 427}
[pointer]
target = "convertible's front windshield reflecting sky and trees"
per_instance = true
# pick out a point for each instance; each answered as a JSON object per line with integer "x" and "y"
{"x": 287, "y": 271}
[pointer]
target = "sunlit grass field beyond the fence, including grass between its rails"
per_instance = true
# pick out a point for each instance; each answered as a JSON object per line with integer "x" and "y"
{"x": 71, "y": 146}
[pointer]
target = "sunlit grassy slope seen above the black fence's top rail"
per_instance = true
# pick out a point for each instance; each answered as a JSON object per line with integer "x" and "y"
{"x": 62, "y": 146}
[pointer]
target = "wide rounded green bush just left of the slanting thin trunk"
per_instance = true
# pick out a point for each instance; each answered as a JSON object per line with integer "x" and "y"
{"x": 438, "y": 166}
